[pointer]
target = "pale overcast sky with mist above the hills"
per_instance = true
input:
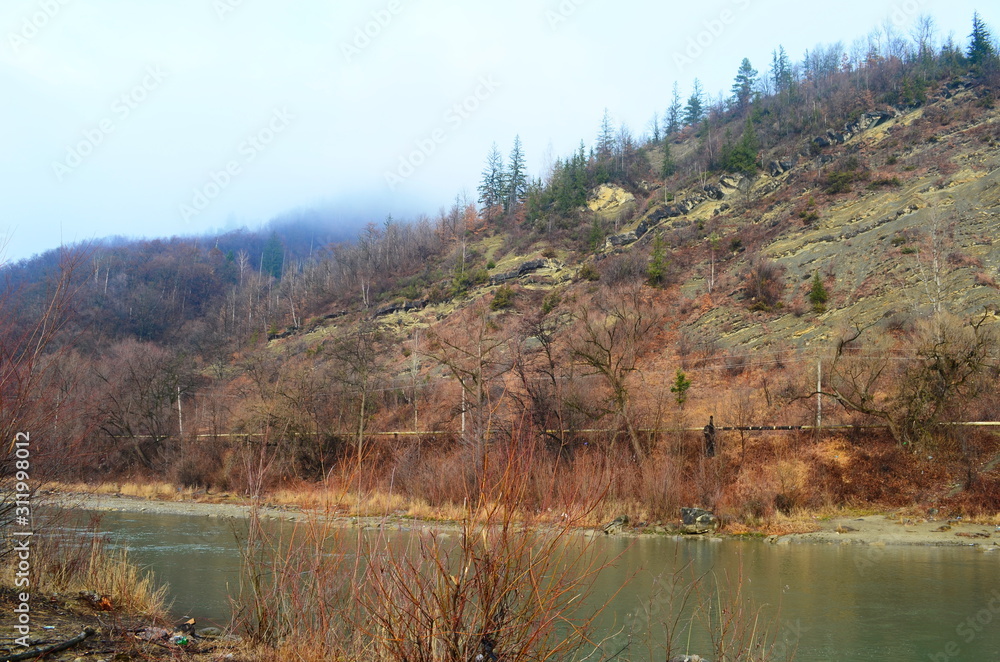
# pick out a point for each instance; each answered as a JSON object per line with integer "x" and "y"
{"x": 148, "y": 118}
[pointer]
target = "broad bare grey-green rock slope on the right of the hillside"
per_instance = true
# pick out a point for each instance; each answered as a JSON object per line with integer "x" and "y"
{"x": 915, "y": 230}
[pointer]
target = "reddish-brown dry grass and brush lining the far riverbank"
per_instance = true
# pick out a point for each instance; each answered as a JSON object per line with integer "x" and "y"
{"x": 760, "y": 483}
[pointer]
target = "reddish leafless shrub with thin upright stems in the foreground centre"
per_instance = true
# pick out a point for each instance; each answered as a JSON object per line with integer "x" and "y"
{"x": 505, "y": 582}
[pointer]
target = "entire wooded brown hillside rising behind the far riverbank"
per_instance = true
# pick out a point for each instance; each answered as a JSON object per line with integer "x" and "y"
{"x": 588, "y": 329}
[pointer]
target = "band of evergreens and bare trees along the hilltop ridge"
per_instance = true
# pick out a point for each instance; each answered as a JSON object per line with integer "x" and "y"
{"x": 790, "y": 99}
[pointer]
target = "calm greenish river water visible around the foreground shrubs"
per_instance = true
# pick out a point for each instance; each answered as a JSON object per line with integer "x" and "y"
{"x": 823, "y": 602}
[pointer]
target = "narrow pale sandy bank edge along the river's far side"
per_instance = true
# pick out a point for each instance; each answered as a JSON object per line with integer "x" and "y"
{"x": 875, "y": 530}
